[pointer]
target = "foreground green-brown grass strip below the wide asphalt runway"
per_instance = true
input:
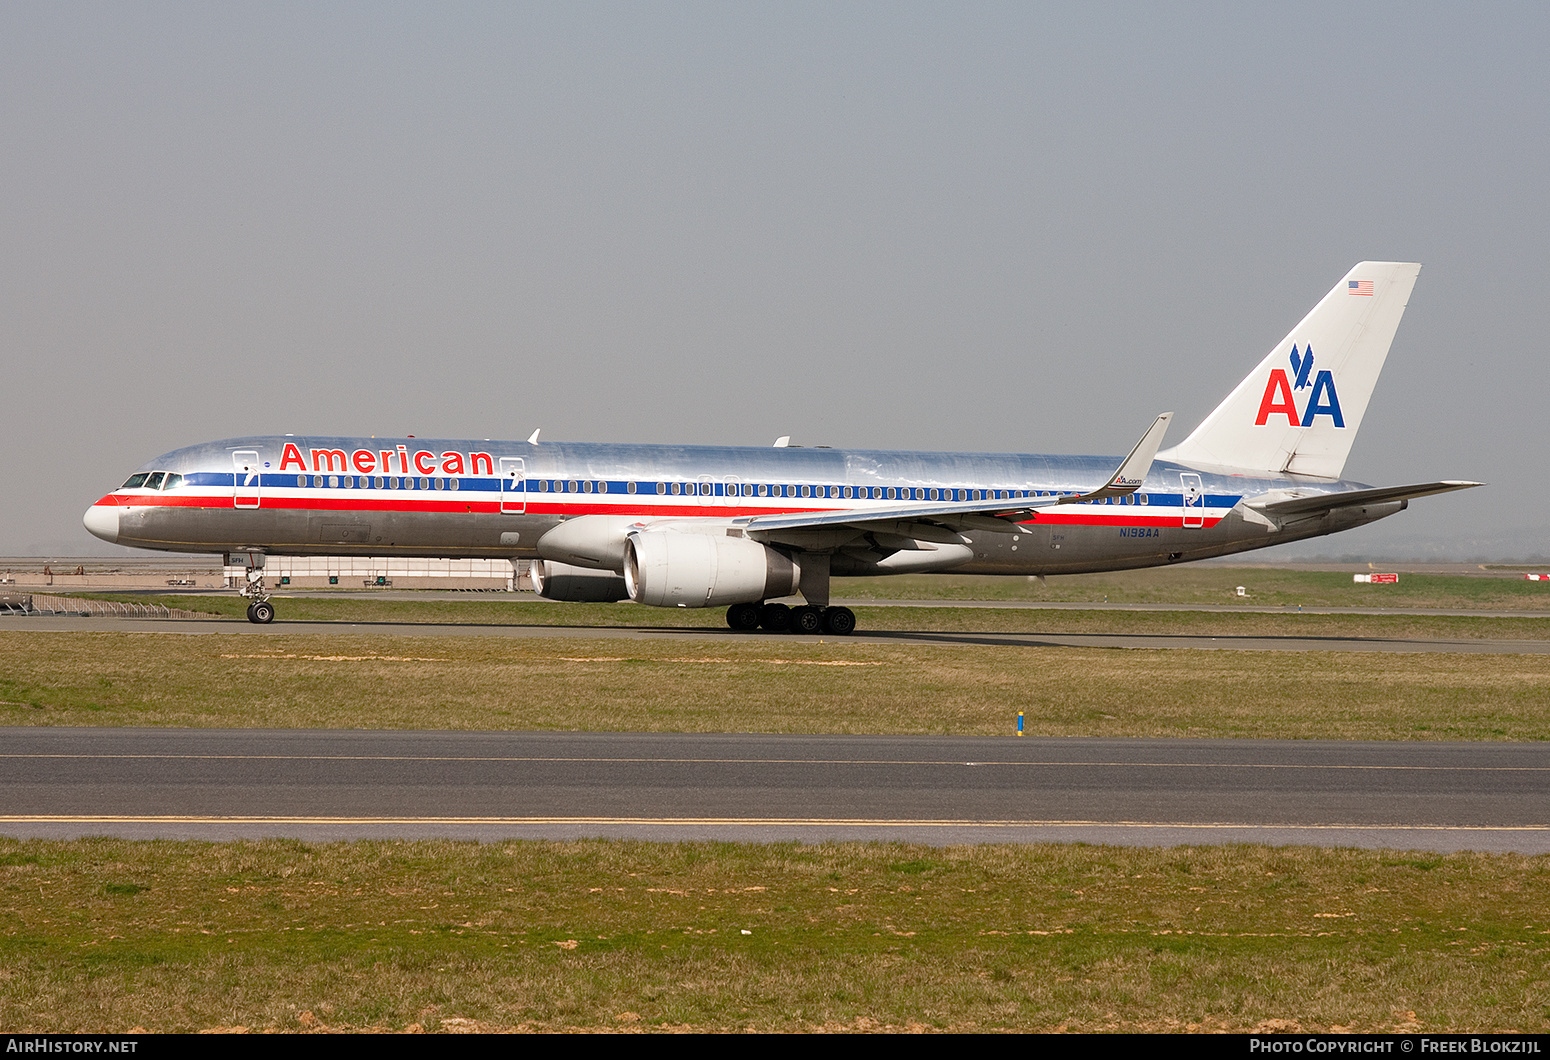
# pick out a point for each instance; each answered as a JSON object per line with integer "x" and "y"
{"x": 108, "y": 935}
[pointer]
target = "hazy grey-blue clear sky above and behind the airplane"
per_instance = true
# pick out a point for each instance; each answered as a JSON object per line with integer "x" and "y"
{"x": 921, "y": 227}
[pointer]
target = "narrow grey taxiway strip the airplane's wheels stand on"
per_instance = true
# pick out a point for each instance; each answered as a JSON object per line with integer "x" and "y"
{"x": 1055, "y": 639}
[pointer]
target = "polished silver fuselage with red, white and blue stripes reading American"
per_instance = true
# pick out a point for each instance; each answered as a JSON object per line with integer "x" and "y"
{"x": 467, "y": 498}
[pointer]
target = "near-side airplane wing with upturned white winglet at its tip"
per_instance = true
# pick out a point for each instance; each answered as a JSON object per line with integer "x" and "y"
{"x": 943, "y": 521}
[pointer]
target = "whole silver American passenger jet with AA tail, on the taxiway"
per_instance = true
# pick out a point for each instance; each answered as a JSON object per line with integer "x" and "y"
{"x": 677, "y": 526}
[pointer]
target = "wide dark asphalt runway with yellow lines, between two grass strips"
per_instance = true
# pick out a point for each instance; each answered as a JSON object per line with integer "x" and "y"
{"x": 326, "y": 785}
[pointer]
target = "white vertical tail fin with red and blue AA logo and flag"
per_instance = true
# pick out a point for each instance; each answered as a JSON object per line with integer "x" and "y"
{"x": 1300, "y": 410}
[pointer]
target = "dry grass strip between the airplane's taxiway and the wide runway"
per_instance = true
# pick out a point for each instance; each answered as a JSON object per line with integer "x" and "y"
{"x": 760, "y": 684}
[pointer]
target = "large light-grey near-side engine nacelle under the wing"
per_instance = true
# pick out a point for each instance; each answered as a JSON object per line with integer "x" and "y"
{"x": 670, "y": 570}
